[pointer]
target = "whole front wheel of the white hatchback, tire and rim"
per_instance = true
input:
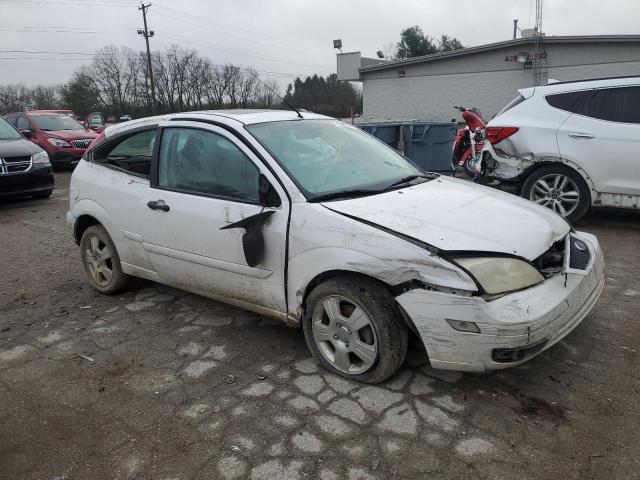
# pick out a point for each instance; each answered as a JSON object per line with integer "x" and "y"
{"x": 371, "y": 330}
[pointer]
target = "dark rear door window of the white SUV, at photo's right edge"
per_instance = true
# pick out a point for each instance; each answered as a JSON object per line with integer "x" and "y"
{"x": 621, "y": 104}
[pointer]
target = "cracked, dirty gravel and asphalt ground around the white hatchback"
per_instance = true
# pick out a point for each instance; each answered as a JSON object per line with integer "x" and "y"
{"x": 161, "y": 384}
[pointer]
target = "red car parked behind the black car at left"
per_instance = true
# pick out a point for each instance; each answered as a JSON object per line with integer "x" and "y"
{"x": 63, "y": 138}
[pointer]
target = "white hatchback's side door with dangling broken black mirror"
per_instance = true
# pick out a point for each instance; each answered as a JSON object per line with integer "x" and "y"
{"x": 206, "y": 181}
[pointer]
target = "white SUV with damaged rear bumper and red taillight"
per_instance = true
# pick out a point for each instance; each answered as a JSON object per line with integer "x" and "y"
{"x": 570, "y": 145}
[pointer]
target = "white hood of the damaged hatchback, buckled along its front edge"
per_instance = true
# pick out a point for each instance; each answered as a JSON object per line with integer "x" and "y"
{"x": 453, "y": 214}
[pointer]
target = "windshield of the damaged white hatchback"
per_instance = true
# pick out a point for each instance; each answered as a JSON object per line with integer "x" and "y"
{"x": 329, "y": 156}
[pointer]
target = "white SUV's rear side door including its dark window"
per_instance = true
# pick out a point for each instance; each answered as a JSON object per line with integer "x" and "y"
{"x": 603, "y": 138}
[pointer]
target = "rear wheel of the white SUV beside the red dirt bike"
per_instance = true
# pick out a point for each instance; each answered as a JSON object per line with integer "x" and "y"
{"x": 572, "y": 196}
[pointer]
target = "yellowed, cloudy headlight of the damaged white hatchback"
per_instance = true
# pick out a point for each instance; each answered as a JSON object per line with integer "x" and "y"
{"x": 500, "y": 274}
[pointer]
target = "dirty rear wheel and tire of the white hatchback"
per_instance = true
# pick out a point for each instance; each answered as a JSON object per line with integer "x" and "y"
{"x": 101, "y": 261}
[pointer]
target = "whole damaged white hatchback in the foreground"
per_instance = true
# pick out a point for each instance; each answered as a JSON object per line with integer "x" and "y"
{"x": 316, "y": 223}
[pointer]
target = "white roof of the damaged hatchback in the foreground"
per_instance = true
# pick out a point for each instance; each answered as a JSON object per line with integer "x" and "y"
{"x": 241, "y": 116}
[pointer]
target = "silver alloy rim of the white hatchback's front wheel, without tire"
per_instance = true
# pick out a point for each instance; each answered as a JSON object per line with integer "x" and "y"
{"x": 344, "y": 334}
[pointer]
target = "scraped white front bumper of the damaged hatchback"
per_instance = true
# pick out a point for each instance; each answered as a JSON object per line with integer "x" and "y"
{"x": 525, "y": 323}
